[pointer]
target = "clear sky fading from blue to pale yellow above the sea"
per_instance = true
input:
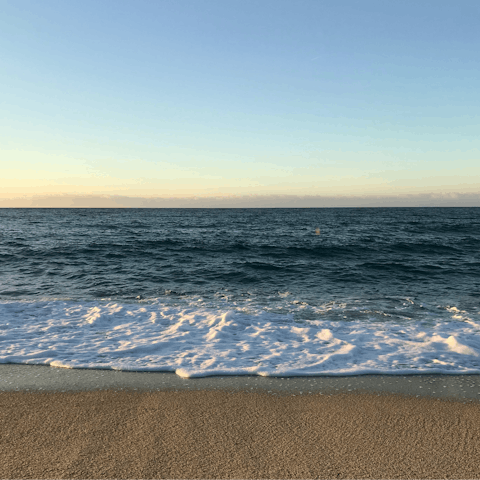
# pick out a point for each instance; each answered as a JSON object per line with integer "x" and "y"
{"x": 268, "y": 103}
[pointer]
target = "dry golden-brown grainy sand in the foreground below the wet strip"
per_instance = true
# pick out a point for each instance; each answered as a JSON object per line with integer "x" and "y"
{"x": 216, "y": 434}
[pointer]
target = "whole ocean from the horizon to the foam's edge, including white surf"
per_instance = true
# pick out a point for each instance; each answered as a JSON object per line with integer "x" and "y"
{"x": 272, "y": 292}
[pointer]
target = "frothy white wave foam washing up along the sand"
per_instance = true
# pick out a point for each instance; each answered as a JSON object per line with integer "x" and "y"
{"x": 194, "y": 339}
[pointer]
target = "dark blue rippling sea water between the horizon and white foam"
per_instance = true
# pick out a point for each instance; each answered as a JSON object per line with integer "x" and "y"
{"x": 391, "y": 265}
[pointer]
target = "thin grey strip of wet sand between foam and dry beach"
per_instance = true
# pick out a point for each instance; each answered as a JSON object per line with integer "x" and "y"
{"x": 41, "y": 378}
